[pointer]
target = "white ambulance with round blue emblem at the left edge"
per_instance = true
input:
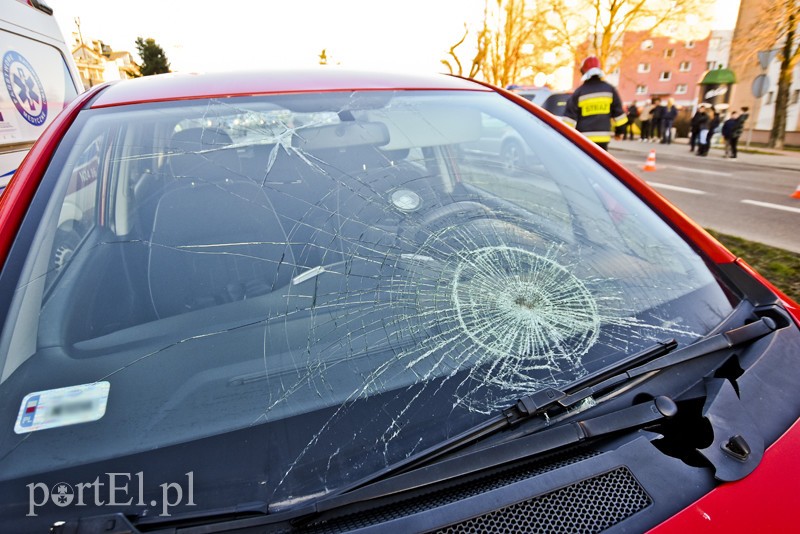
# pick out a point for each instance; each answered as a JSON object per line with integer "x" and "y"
{"x": 38, "y": 74}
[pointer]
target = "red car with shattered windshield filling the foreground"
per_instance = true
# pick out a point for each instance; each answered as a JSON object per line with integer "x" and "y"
{"x": 291, "y": 301}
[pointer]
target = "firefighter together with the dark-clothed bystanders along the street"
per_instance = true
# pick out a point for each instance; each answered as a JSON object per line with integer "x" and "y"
{"x": 596, "y": 110}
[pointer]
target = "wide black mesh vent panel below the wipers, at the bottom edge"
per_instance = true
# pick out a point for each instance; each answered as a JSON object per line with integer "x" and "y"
{"x": 591, "y": 505}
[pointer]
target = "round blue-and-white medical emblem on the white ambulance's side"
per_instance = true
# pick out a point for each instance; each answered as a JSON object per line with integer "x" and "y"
{"x": 25, "y": 88}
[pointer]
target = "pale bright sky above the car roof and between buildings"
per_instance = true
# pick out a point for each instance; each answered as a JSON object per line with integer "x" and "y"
{"x": 405, "y": 35}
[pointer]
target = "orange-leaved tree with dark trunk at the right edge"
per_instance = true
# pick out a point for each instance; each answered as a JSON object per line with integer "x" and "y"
{"x": 776, "y": 25}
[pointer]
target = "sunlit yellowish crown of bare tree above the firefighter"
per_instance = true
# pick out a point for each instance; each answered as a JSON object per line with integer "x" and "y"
{"x": 598, "y": 27}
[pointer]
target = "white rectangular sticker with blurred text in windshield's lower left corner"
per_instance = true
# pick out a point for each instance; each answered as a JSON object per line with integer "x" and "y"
{"x": 61, "y": 407}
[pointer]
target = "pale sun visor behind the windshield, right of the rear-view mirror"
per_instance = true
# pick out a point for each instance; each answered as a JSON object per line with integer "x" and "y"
{"x": 429, "y": 125}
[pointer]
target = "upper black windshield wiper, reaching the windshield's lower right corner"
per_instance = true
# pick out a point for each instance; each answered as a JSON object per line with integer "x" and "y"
{"x": 537, "y": 404}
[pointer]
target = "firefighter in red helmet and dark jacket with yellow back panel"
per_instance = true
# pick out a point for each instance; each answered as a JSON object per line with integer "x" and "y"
{"x": 594, "y": 108}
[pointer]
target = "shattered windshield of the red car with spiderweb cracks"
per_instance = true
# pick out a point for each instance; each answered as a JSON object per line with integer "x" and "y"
{"x": 339, "y": 280}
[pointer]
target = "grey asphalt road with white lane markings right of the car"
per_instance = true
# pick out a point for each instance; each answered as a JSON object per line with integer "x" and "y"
{"x": 749, "y": 197}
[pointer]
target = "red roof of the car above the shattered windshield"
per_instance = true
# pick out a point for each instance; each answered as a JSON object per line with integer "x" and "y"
{"x": 165, "y": 87}
